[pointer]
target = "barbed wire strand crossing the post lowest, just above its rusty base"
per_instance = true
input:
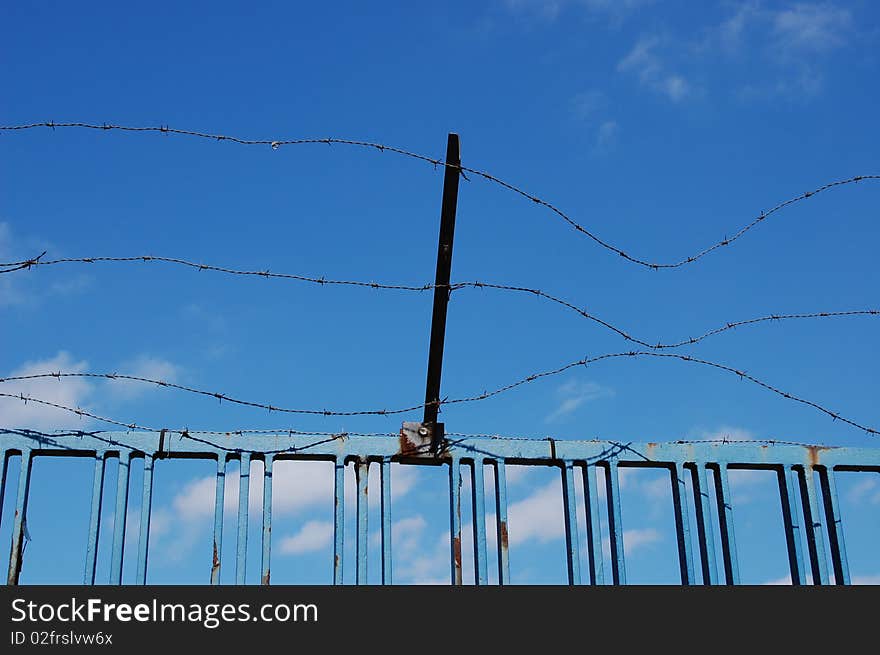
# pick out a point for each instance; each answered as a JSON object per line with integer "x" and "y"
{"x": 439, "y": 403}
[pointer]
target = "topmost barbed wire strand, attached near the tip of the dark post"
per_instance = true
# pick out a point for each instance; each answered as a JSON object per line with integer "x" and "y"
{"x": 275, "y": 144}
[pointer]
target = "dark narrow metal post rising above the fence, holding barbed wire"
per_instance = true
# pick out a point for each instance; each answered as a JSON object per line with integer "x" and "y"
{"x": 441, "y": 289}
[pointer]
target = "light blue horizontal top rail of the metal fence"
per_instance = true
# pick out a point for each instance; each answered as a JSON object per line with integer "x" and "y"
{"x": 342, "y": 447}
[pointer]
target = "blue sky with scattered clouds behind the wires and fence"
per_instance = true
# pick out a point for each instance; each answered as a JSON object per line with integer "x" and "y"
{"x": 662, "y": 127}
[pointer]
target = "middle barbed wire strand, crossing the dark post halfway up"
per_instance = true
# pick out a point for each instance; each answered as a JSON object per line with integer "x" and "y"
{"x": 37, "y": 261}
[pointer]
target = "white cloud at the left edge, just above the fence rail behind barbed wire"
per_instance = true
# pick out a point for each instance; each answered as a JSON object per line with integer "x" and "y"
{"x": 69, "y": 392}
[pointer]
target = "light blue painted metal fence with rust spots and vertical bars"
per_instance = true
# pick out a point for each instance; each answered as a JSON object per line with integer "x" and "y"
{"x": 805, "y": 475}
